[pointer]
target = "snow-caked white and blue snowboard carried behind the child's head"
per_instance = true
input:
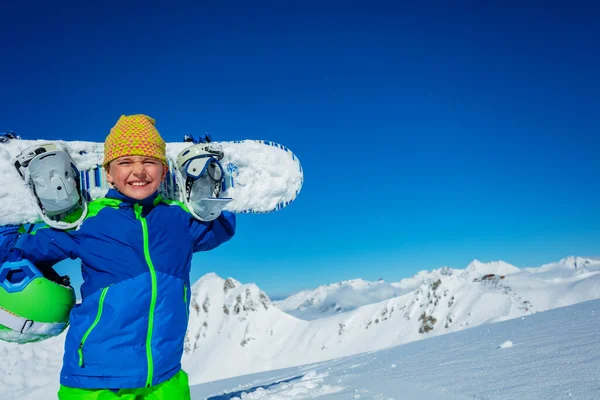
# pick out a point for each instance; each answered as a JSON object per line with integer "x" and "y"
{"x": 260, "y": 176}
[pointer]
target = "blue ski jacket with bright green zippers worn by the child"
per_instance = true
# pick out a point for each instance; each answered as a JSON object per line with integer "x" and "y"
{"x": 129, "y": 329}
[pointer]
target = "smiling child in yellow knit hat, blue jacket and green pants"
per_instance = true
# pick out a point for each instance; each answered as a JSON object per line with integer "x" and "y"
{"x": 125, "y": 339}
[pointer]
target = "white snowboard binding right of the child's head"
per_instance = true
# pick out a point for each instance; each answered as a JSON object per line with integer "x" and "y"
{"x": 200, "y": 176}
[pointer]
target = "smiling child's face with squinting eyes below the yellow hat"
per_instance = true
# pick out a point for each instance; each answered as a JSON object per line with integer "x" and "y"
{"x": 137, "y": 177}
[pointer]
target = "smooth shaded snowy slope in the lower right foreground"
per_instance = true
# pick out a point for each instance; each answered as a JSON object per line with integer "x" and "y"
{"x": 551, "y": 355}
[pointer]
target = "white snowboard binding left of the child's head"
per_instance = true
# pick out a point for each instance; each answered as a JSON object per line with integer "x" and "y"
{"x": 54, "y": 181}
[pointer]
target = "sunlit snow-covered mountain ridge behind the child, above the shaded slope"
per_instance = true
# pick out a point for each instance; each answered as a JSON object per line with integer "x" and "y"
{"x": 235, "y": 329}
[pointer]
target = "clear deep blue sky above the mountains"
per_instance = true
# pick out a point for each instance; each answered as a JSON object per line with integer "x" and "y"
{"x": 430, "y": 135}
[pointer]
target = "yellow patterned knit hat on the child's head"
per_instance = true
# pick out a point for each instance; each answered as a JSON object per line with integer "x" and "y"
{"x": 134, "y": 135}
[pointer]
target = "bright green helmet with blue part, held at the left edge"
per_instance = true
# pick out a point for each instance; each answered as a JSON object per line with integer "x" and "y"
{"x": 32, "y": 307}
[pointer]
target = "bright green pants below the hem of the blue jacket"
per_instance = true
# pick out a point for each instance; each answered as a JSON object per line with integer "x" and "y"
{"x": 176, "y": 388}
